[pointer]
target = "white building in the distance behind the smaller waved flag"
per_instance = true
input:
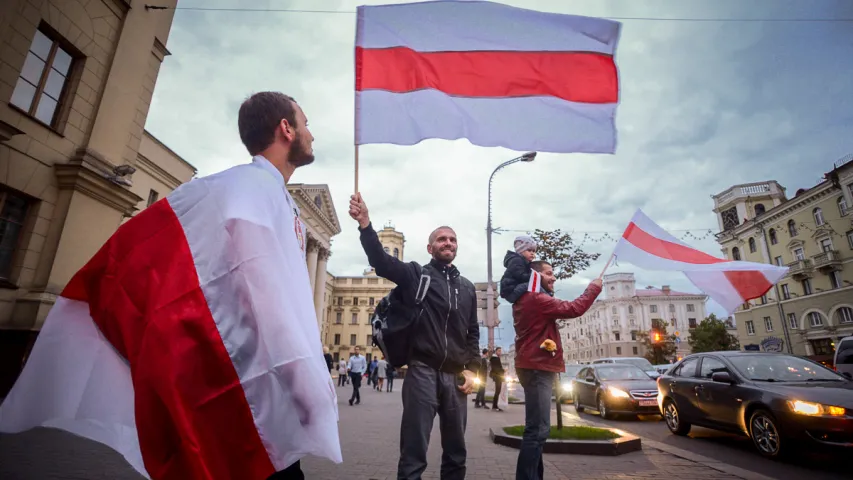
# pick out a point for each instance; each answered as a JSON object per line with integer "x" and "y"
{"x": 610, "y": 327}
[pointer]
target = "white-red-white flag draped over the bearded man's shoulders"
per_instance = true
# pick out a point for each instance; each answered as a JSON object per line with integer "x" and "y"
{"x": 189, "y": 342}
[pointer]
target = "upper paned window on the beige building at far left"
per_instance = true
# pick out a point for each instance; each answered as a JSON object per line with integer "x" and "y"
{"x": 42, "y": 86}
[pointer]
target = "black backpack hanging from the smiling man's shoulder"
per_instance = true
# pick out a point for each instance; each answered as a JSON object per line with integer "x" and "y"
{"x": 394, "y": 322}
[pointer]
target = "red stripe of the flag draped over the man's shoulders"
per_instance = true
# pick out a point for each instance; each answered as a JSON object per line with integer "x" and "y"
{"x": 191, "y": 412}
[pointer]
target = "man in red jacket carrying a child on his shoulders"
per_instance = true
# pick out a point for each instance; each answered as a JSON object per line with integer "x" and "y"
{"x": 539, "y": 355}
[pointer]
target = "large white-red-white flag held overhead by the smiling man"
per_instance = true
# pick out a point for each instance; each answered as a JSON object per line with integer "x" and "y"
{"x": 494, "y": 74}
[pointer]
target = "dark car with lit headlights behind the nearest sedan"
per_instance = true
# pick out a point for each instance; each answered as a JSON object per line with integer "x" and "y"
{"x": 615, "y": 388}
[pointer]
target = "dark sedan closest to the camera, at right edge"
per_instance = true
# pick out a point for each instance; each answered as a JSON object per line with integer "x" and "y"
{"x": 774, "y": 398}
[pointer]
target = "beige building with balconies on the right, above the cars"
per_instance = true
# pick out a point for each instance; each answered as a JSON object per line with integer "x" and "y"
{"x": 811, "y": 308}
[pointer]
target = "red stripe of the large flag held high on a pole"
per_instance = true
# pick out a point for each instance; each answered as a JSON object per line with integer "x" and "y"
{"x": 583, "y": 77}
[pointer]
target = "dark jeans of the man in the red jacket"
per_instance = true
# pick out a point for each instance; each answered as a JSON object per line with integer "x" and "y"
{"x": 538, "y": 386}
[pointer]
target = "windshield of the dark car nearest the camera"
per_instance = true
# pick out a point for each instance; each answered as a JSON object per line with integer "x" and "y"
{"x": 782, "y": 368}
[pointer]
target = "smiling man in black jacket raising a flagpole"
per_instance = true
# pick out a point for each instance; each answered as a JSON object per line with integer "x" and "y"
{"x": 444, "y": 347}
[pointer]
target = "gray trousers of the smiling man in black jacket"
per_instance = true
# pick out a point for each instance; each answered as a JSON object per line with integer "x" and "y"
{"x": 427, "y": 391}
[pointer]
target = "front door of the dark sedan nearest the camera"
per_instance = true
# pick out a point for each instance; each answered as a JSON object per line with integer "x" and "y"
{"x": 718, "y": 403}
